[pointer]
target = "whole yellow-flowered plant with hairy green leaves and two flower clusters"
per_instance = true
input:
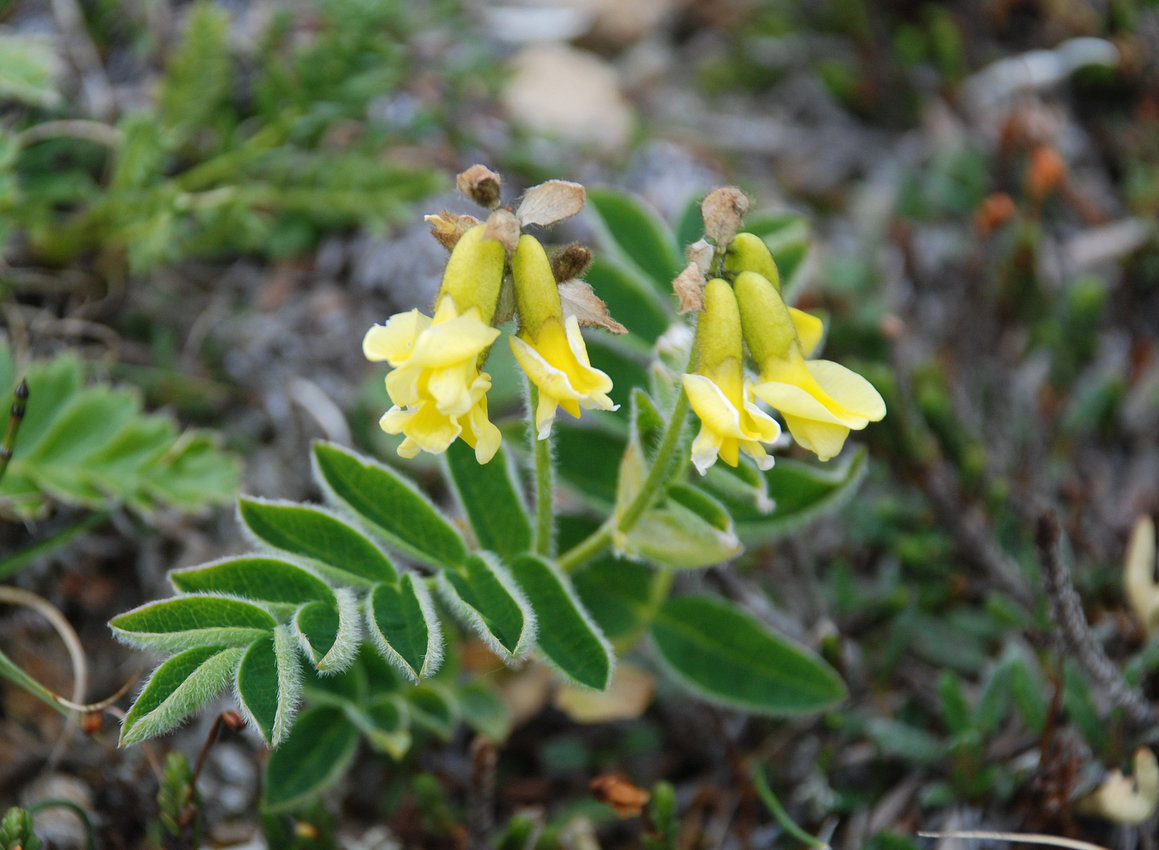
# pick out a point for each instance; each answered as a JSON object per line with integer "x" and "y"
{"x": 331, "y": 629}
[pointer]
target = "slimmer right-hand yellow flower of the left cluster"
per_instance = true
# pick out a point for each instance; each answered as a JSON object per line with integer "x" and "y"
{"x": 550, "y": 348}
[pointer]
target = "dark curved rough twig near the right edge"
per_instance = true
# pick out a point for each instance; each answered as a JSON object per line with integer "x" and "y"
{"x": 1075, "y": 633}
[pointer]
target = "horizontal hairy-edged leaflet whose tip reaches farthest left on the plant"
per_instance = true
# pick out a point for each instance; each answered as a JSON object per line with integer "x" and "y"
{"x": 186, "y": 622}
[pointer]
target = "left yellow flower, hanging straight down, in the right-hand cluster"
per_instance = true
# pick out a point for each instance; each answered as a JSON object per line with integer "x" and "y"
{"x": 730, "y": 420}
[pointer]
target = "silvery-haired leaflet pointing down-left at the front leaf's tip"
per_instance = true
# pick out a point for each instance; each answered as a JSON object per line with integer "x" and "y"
{"x": 177, "y": 689}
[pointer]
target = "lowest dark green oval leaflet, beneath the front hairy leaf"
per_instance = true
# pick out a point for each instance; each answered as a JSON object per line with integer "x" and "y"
{"x": 314, "y": 757}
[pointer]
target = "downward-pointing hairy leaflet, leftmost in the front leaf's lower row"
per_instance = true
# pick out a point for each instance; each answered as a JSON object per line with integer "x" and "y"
{"x": 269, "y": 685}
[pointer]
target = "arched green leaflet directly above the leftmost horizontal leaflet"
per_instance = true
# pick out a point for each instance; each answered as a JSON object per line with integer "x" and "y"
{"x": 280, "y": 585}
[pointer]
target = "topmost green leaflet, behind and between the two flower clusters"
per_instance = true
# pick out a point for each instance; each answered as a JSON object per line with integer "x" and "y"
{"x": 639, "y": 235}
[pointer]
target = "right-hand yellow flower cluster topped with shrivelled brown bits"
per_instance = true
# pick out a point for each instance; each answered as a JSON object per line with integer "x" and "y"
{"x": 820, "y": 402}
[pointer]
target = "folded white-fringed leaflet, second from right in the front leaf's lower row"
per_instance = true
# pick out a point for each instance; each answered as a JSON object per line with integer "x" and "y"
{"x": 485, "y": 597}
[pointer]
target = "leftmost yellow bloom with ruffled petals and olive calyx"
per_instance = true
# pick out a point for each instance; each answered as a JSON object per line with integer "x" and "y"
{"x": 439, "y": 391}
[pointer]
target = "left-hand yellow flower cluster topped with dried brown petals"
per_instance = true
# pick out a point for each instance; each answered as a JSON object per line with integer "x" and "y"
{"x": 438, "y": 384}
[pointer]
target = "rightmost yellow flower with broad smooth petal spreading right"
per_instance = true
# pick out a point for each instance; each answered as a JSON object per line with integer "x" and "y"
{"x": 820, "y": 401}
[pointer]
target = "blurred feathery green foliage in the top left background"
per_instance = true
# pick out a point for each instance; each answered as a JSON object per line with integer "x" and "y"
{"x": 259, "y": 154}
